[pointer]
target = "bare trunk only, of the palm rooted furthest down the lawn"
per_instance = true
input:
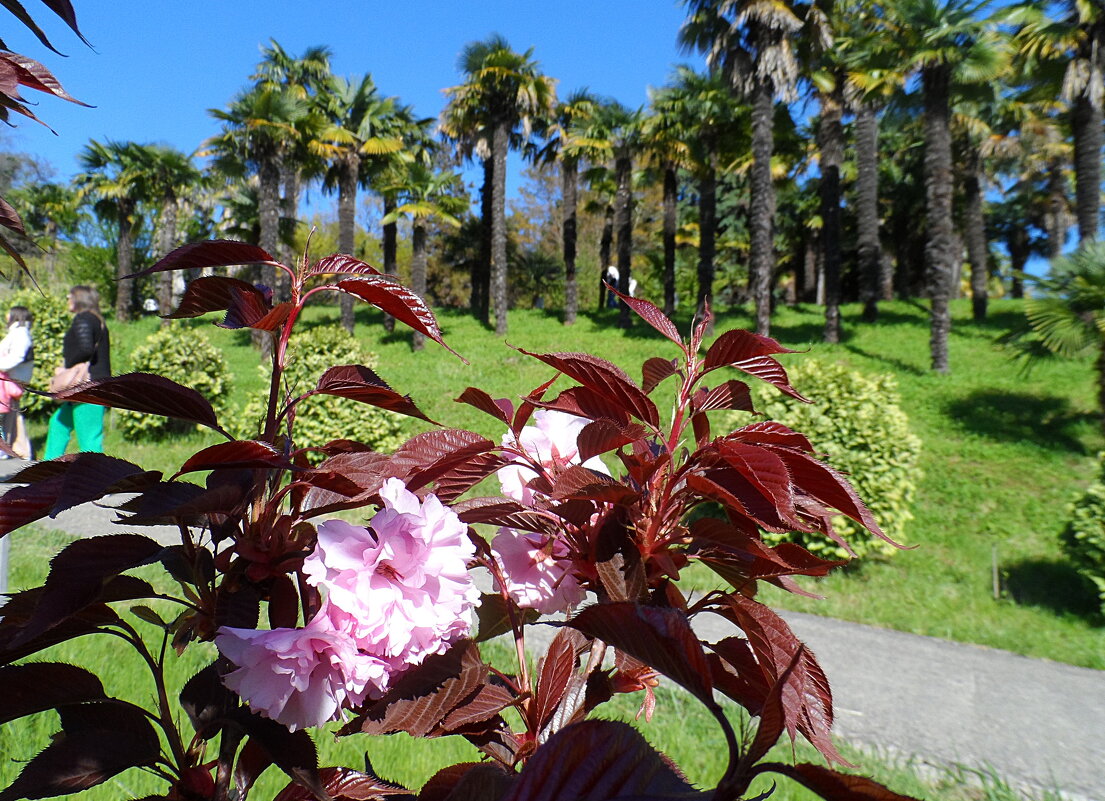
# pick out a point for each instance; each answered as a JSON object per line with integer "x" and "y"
{"x": 940, "y": 250}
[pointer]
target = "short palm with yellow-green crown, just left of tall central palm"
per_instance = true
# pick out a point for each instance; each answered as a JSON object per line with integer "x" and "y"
{"x": 425, "y": 196}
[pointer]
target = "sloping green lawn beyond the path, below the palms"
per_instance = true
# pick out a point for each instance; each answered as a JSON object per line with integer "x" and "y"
{"x": 1004, "y": 452}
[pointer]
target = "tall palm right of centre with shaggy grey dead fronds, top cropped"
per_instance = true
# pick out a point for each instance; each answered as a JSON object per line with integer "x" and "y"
{"x": 752, "y": 45}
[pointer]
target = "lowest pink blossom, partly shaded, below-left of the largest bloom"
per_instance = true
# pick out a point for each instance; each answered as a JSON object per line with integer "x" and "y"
{"x": 302, "y": 678}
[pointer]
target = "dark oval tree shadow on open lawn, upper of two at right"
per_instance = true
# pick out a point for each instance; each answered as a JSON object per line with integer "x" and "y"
{"x": 1046, "y": 421}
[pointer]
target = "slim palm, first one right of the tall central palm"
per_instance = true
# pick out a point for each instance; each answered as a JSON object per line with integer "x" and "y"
{"x": 574, "y": 139}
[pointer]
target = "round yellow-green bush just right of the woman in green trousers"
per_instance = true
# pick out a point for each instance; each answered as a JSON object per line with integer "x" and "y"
{"x": 186, "y": 356}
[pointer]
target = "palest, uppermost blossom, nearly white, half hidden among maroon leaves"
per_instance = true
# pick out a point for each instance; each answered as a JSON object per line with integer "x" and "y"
{"x": 552, "y": 441}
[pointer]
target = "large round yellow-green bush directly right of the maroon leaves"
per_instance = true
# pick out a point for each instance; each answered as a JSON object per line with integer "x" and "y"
{"x": 857, "y": 426}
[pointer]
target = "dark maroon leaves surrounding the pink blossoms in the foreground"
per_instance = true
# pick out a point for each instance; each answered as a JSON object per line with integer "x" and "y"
{"x": 679, "y": 496}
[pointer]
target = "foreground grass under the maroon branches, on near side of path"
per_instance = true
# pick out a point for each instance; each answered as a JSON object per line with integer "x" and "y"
{"x": 682, "y": 729}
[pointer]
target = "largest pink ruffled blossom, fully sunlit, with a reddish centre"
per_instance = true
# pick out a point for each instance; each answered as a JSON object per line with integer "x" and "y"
{"x": 404, "y": 579}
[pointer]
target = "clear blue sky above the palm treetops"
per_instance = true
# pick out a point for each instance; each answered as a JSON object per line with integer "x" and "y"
{"x": 159, "y": 66}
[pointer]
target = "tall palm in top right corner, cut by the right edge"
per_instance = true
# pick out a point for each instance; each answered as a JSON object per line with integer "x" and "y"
{"x": 1067, "y": 55}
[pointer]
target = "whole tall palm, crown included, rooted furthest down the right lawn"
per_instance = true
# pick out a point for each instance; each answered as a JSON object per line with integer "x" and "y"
{"x": 944, "y": 41}
